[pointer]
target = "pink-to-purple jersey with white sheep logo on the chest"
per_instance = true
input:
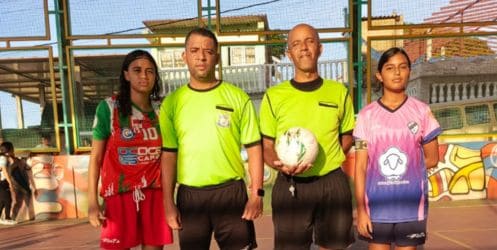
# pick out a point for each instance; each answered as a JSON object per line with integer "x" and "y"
{"x": 396, "y": 179}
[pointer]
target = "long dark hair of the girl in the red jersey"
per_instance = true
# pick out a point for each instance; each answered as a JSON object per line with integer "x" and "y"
{"x": 124, "y": 94}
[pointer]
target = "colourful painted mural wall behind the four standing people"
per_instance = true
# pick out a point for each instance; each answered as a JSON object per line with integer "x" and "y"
{"x": 465, "y": 171}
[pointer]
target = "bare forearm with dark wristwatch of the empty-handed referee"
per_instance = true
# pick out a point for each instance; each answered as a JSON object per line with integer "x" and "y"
{"x": 253, "y": 208}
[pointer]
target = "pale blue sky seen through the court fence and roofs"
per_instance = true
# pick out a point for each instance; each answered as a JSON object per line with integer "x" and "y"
{"x": 22, "y": 18}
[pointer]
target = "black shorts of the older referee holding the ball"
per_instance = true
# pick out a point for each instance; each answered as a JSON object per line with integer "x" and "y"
{"x": 321, "y": 208}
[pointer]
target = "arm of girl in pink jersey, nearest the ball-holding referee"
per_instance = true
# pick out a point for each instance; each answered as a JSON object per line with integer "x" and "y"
{"x": 364, "y": 226}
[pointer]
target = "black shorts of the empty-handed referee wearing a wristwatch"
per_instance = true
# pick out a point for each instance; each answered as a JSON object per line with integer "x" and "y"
{"x": 217, "y": 209}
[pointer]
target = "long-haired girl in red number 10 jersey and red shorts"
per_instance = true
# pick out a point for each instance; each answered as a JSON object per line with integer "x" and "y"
{"x": 125, "y": 157}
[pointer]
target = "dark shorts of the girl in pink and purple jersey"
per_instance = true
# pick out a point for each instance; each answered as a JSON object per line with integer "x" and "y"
{"x": 412, "y": 233}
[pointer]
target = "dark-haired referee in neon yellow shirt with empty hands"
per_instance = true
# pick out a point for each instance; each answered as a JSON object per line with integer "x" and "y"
{"x": 203, "y": 125}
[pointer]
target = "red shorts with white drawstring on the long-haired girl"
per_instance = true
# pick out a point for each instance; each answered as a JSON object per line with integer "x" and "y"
{"x": 126, "y": 226}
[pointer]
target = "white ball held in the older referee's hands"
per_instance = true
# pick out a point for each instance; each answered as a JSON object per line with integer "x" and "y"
{"x": 296, "y": 146}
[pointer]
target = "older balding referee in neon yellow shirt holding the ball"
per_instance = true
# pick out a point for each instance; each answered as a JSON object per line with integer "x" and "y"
{"x": 311, "y": 203}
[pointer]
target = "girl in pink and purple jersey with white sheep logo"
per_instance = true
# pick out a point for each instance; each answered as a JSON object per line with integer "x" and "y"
{"x": 395, "y": 142}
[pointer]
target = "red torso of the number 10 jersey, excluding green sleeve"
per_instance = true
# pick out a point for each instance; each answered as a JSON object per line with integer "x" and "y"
{"x": 132, "y": 154}
